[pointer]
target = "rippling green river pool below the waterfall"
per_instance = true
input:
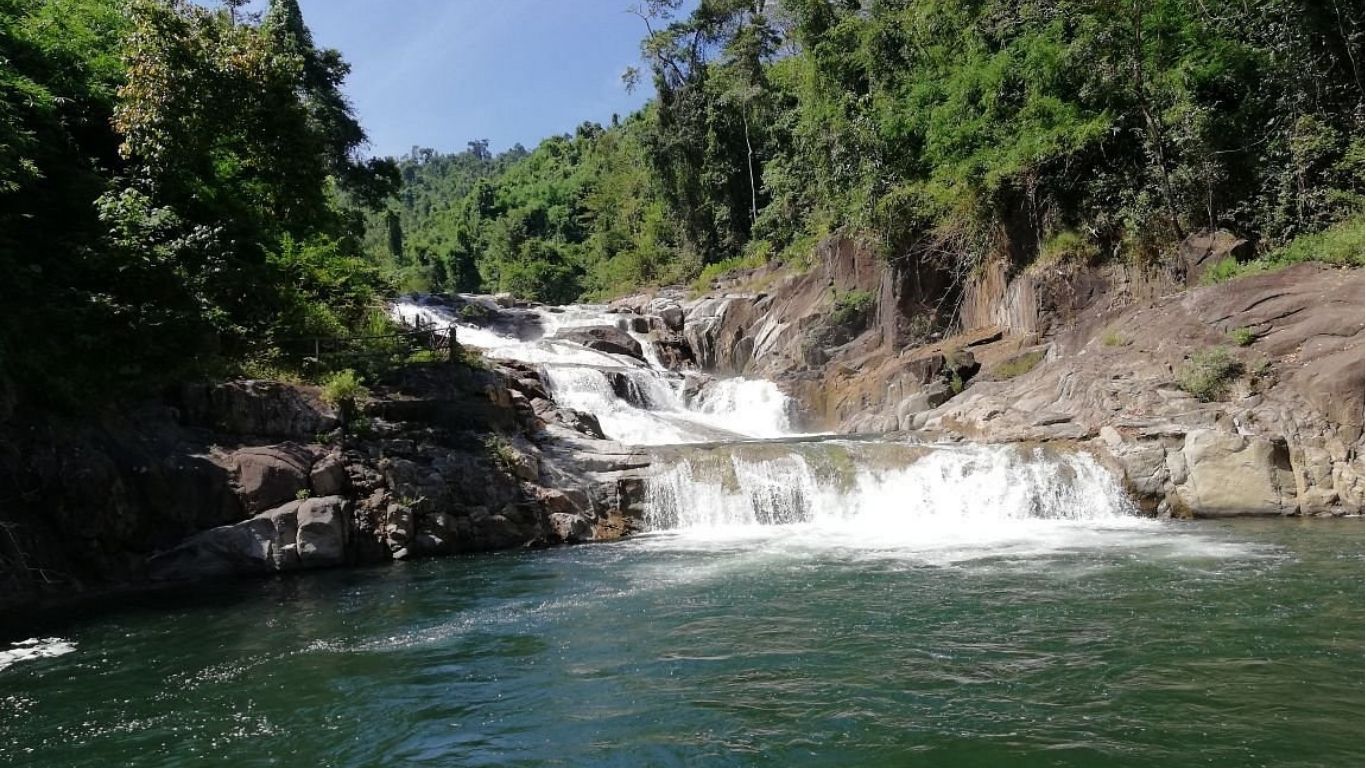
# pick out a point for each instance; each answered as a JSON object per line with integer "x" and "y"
{"x": 1055, "y": 643}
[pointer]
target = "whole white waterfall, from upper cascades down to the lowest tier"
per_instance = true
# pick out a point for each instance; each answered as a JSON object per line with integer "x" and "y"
{"x": 751, "y": 475}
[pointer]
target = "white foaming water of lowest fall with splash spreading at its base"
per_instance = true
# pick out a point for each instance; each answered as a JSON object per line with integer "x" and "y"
{"x": 991, "y": 506}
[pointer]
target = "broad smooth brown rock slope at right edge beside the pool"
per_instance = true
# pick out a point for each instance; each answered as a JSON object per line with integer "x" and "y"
{"x": 1289, "y": 438}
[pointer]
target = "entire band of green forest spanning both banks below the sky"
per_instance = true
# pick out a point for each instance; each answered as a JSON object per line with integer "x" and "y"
{"x": 184, "y": 189}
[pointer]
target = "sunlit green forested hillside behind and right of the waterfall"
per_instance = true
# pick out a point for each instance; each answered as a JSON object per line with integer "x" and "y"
{"x": 957, "y": 131}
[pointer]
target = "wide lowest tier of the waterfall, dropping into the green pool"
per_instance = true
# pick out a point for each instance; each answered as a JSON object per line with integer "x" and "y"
{"x": 890, "y": 487}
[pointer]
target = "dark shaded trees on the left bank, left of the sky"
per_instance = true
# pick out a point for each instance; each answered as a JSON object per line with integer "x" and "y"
{"x": 170, "y": 185}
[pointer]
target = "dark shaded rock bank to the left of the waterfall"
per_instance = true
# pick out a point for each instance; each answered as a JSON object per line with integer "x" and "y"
{"x": 256, "y": 478}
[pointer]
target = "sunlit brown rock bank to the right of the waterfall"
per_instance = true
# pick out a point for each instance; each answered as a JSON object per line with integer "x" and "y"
{"x": 1089, "y": 356}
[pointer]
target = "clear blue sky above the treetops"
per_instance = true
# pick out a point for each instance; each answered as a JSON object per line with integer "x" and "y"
{"x": 441, "y": 73}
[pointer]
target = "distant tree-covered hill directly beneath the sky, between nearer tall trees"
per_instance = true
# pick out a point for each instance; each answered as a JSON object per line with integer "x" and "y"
{"x": 579, "y": 215}
